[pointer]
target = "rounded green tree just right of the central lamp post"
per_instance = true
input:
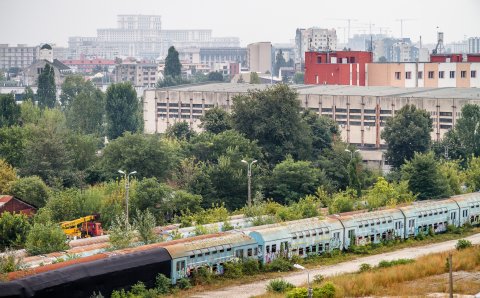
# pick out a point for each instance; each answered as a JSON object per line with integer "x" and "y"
{"x": 292, "y": 180}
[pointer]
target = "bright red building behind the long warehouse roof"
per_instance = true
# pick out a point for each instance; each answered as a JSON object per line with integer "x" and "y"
{"x": 336, "y": 68}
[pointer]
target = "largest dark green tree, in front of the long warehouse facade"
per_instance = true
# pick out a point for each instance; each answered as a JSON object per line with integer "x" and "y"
{"x": 273, "y": 117}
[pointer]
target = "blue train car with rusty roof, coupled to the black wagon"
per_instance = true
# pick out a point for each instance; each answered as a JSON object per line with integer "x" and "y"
{"x": 210, "y": 251}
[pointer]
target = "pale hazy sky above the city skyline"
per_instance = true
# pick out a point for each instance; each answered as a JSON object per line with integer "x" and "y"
{"x": 34, "y": 21}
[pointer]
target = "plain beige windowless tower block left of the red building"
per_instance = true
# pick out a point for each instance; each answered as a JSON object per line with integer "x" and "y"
{"x": 259, "y": 57}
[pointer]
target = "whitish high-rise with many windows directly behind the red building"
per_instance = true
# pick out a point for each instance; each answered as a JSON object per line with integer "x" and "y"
{"x": 313, "y": 39}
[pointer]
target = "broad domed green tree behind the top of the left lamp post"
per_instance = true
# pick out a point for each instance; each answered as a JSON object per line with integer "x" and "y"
{"x": 149, "y": 155}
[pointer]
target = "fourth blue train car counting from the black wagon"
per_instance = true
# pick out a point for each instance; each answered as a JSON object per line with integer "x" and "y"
{"x": 436, "y": 215}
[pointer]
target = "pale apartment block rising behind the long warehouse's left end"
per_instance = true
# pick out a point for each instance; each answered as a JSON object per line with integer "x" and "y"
{"x": 139, "y": 74}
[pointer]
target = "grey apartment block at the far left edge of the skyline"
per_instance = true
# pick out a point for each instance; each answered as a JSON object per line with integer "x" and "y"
{"x": 19, "y": 56}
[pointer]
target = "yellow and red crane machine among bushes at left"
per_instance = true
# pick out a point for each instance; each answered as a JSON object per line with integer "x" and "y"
{"x": 82, "y": 227}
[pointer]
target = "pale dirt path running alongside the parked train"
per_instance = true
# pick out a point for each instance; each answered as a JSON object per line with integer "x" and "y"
{"x": 299, "y": 277}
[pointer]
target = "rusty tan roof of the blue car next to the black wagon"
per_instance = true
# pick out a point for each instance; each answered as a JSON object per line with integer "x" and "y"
{"x": 202, "y": 245}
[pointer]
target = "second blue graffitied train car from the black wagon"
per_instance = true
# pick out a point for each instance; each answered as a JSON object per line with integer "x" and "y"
{"x": 300, "y": 237}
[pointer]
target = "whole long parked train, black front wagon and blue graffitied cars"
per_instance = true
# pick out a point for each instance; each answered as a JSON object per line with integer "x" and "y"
{"x": 177, "y": 259}
